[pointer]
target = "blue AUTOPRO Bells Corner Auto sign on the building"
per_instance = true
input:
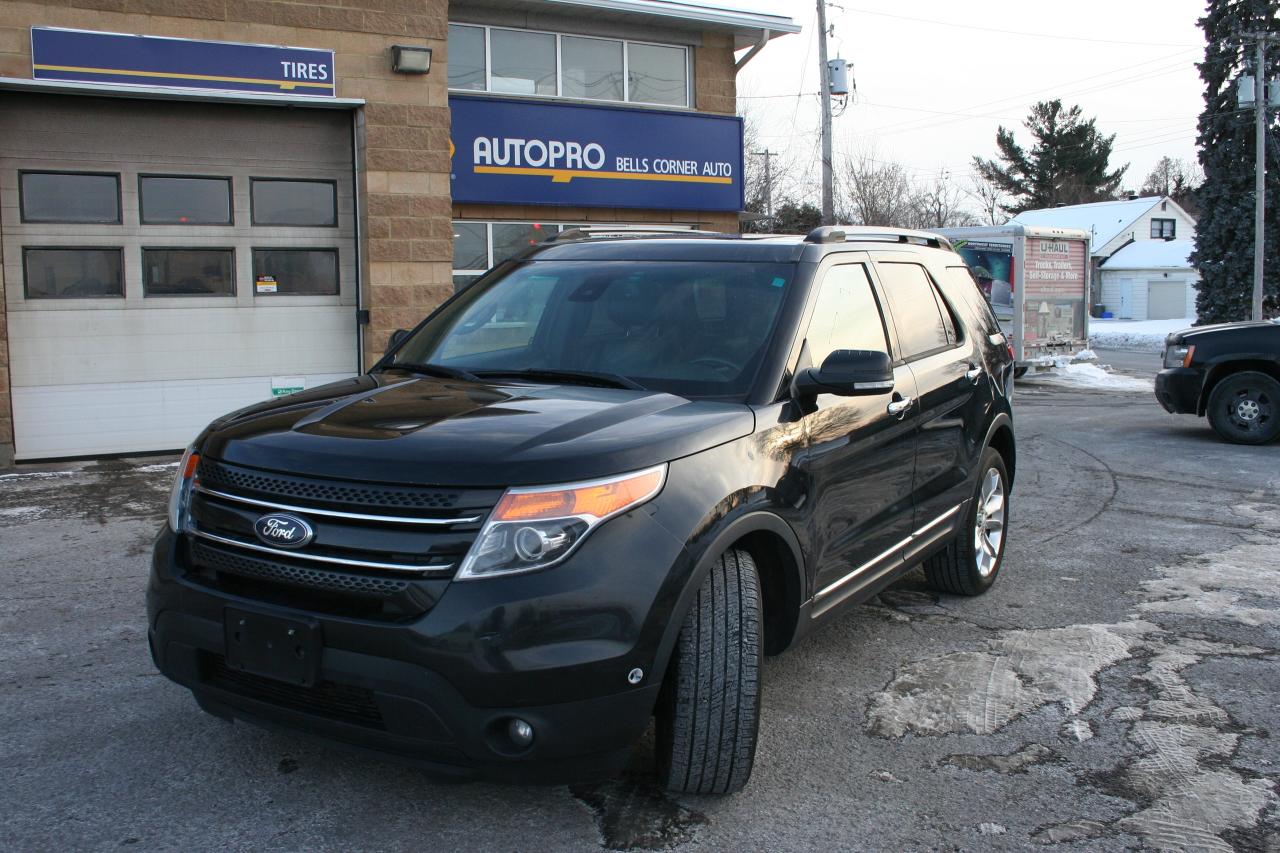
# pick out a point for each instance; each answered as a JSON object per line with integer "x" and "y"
{"x": 509, "y": 152}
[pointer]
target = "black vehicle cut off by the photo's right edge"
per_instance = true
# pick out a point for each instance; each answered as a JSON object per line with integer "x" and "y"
{"x": 1229, "y": 373}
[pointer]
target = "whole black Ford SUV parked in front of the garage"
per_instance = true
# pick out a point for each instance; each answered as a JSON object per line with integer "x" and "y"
{"x": 593, "y": 489}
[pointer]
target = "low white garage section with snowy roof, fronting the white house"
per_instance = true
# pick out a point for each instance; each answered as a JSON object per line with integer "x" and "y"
{"x": 1150, "y": 280}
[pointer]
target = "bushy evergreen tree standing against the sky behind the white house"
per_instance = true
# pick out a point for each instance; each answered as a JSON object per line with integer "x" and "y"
{"x": 1068, "y": 165}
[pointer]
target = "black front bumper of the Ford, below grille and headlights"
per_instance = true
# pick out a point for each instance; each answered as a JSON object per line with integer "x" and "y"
{"x": 552, "y": 649}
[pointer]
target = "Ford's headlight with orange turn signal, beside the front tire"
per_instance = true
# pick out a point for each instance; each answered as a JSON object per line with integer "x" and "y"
{"x": 536, "y": 528}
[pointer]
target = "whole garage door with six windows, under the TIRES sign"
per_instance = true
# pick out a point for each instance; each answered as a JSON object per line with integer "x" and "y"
{"x": 168, "y": 262}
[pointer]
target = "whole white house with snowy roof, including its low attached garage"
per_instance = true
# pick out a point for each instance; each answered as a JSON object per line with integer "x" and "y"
{"x": 1126, "y": 223}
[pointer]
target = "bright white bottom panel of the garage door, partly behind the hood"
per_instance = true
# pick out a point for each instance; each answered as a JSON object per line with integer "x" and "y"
{"x": 131, "y": 417}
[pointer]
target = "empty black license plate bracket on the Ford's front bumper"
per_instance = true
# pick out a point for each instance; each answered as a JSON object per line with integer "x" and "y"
{"x": 275, "y": 647}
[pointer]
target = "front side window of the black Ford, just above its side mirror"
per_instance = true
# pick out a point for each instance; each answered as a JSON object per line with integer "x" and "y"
{"x": 847, "y": 316}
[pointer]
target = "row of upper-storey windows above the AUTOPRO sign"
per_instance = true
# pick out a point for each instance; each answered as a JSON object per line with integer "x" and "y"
{"x": 525, "y": 62}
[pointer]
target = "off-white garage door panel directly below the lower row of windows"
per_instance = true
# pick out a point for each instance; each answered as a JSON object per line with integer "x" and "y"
{"x": 106, "y": 345}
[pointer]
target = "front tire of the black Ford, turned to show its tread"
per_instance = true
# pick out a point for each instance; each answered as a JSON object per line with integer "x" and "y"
{"x": 710, "y": 713}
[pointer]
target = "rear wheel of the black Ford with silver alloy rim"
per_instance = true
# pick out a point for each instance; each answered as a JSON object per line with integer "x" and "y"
{"x": 967, "y": 568}
